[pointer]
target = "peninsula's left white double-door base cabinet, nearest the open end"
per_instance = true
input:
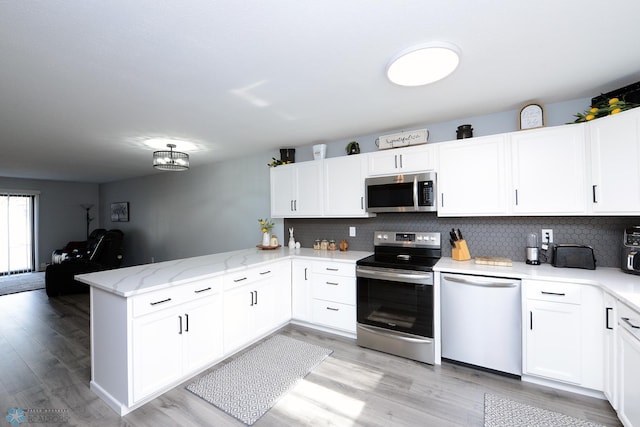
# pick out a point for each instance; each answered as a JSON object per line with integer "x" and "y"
{"x": 168, "y": 343}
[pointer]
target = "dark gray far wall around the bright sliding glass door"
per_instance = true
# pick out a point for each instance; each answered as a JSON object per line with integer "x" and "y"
{"x": 61, "y": 218}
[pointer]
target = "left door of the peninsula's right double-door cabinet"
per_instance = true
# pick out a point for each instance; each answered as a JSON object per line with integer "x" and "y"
{"x": 237, "y": 303}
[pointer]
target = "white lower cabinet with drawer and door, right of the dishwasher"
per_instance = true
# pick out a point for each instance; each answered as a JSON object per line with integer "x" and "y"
{"x": 564, "y": 333}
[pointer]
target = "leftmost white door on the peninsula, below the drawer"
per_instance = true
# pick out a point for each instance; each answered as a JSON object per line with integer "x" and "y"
{"x": 157, "y": 351}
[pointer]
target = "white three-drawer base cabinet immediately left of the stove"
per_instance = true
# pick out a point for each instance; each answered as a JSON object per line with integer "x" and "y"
{"x": 334, "y": 295}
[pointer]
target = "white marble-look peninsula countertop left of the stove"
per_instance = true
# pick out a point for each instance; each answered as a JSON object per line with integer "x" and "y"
{"x": 129, "y": 281}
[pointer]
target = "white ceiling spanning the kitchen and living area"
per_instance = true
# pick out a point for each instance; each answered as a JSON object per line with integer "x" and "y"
{"x": 84, "y": 83}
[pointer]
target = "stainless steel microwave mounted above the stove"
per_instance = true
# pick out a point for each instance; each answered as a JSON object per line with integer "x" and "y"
{"x": 401, "y": 193}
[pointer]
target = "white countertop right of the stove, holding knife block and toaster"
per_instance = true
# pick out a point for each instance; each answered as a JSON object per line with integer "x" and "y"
{"x": 625, "y": 287}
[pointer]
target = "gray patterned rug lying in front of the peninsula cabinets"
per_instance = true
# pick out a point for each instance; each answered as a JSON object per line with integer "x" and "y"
{"x": 247, "y": 387}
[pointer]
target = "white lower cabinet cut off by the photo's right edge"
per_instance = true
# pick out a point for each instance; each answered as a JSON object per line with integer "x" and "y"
{"x": 628, "y": 369}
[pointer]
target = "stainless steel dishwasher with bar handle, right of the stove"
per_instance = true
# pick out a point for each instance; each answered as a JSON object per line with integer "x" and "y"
{"x": 481, "y": 321}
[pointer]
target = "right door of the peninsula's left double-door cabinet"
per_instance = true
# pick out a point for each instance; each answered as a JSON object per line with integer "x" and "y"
{"x": 203, "y": 332}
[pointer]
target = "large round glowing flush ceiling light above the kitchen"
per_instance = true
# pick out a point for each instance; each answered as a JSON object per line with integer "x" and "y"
{"x": 423, "y": 64}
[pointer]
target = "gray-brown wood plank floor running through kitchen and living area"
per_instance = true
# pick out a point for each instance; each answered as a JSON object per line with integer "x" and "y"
{"x": 45, "y": 364}
